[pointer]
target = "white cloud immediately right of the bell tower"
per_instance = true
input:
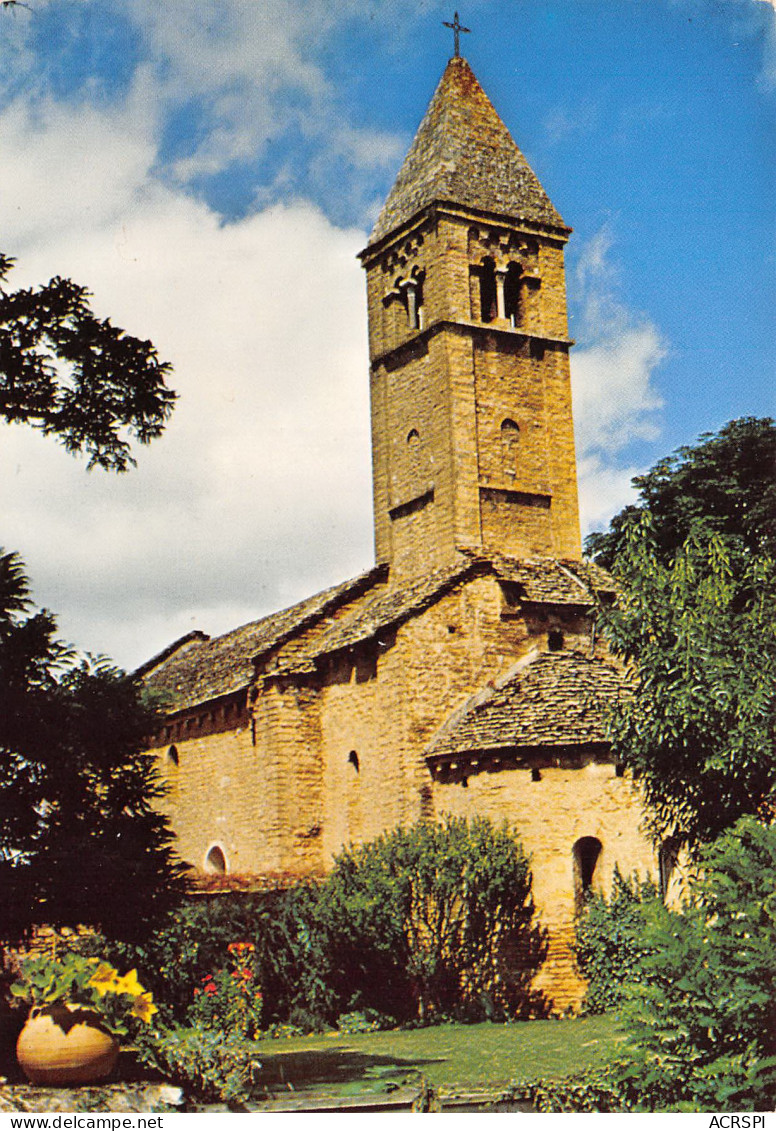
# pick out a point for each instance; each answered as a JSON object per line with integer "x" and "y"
{"x": 613, "y": 377}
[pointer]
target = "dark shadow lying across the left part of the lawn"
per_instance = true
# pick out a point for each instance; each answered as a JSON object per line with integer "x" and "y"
{"x": 338, "y": 1068}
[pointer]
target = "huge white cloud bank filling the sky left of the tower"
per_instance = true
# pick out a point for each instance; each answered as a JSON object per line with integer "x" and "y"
{"x": 260, "y": 493}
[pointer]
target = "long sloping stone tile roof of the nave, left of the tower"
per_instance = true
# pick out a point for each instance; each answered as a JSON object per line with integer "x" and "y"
{"x": 208, "y": 669}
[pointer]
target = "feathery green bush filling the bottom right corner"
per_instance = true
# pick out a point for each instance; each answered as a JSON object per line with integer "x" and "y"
{"x": 702, "y": 1016}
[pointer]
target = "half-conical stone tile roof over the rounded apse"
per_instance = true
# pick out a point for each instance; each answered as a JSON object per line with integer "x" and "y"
{"x": 549, "y": 700}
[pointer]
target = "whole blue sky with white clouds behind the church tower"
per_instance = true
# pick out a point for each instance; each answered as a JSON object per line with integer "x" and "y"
{"x": 211, "y": 170}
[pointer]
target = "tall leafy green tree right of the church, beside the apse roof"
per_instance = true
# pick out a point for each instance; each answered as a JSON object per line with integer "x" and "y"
{"x": 695, "y": 624}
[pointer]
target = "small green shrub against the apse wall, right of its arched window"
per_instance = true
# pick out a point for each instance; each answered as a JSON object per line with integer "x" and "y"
{"x": 611, "y": 940}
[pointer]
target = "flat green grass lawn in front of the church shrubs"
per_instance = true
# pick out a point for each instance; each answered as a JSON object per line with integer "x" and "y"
{"x": 455, "y": 1058}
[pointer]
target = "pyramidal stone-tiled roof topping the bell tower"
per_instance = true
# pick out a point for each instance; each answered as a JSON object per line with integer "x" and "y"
{"x": 464, "y": 154}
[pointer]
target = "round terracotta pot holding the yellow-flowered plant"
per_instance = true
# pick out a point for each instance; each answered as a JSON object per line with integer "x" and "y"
{"x": 64, "y": 1044}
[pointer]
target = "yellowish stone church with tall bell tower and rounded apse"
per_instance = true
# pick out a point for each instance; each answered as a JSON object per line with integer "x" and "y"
{"x": 462, "y": 675}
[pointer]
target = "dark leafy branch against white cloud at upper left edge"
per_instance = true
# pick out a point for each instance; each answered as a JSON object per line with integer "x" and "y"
{"x": 74, "y": 376}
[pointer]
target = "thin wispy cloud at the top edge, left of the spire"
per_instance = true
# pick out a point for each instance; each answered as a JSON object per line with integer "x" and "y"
{"x": 253, "y": 67}
